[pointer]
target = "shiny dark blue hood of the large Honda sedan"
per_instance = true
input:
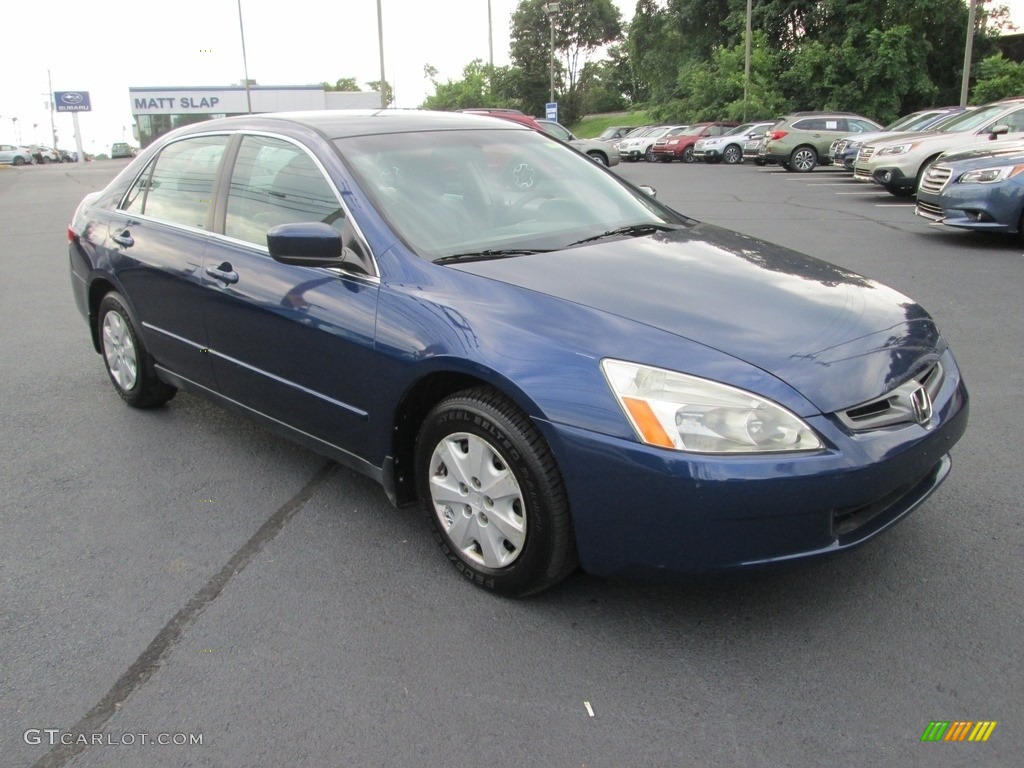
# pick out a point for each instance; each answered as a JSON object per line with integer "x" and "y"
{"x": 834, "y": 336}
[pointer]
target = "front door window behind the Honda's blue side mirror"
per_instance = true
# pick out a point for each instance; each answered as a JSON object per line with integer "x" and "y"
{"x": 276, "y": 183}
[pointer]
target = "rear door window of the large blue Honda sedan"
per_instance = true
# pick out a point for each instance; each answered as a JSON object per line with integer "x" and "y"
{"x": 178, "y": 186}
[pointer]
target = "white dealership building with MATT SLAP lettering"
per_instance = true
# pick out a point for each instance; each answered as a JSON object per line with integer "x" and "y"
{"x": 157, "y": 111}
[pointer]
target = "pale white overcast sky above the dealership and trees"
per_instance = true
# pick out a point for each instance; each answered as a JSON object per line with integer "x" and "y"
{"x": 107, "y": 47}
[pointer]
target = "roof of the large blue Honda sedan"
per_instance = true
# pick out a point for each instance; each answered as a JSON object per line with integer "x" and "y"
{"x": 345, "y": 123}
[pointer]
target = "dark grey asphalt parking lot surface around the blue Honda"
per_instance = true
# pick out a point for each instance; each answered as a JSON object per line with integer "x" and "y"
{"x": 183, "y": 574}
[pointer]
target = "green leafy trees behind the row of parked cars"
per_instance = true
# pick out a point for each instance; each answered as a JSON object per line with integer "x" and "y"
{"x": 684, "y": 60}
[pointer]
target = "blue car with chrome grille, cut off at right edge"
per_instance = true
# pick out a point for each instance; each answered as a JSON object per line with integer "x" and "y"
{"x": 982, "y": 190}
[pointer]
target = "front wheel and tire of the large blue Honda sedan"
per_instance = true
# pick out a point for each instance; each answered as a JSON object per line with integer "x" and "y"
{"x": 471, "y": 445}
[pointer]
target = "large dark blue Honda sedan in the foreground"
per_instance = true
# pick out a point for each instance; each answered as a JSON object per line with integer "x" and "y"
{"x": 558, "y": 369}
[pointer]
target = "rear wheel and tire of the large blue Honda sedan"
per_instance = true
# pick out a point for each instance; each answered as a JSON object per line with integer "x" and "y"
{"x": 129, "y": 364}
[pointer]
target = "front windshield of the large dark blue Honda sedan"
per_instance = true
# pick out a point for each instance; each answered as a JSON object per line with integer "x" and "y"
{"x": 498, "y": 191}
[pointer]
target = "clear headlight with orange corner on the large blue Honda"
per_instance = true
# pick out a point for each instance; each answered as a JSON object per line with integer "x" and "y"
{"x": 687, "y": 413}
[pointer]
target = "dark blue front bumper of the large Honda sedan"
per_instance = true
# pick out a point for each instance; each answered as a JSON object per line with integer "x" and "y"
{"x": 642, "y": 511}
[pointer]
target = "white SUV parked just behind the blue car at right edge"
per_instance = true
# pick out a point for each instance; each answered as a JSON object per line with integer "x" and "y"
{"x": 899, "y": 164}
